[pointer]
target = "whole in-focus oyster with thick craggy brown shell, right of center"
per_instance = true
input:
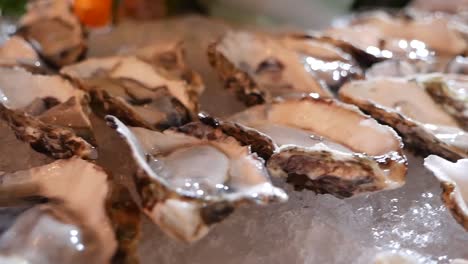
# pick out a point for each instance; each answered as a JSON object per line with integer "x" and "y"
{"x": 322, "y": 145}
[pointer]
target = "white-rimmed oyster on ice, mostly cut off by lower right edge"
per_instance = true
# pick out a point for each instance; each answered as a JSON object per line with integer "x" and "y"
{"x": 454, "y": 183}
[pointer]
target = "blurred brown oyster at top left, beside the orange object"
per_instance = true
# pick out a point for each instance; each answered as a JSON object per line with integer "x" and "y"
{"x": 54, "y": 32}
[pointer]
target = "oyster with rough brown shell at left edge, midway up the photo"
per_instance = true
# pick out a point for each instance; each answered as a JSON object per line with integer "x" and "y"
{"x": 47, "y": 112}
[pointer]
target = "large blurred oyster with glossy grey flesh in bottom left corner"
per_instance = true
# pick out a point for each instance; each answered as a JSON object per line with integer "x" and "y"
{"x": 79, "y": 223}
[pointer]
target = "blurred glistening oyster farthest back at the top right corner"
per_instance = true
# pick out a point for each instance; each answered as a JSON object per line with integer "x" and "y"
{"x": 383, "y": 36}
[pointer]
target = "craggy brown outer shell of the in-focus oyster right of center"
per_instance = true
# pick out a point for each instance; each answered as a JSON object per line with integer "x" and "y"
{"x": 332, "y": 175}
